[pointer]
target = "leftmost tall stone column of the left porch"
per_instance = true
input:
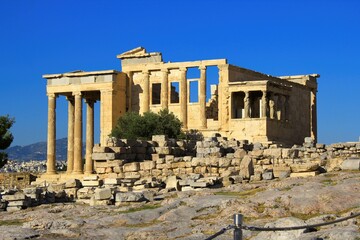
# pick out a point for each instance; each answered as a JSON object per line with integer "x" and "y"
{"x": 51, "y": 146}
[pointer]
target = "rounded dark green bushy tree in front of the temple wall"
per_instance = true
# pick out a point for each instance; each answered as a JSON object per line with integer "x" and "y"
{"x": 135, "y": 126}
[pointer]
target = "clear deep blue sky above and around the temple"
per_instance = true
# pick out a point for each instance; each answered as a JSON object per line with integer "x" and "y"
{"x": 274, "y": 37}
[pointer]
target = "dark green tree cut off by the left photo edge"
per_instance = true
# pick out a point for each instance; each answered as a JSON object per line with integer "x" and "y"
{"x": 6, "y": 137}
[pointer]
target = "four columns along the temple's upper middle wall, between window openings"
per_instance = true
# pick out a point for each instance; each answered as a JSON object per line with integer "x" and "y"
{"x": 183, "y": 94}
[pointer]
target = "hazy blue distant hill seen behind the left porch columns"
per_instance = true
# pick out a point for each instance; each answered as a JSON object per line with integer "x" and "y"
{"x": 37, "y": 151}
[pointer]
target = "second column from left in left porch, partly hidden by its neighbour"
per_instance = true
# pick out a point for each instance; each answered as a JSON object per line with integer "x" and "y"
{"x": 70, "y": 152}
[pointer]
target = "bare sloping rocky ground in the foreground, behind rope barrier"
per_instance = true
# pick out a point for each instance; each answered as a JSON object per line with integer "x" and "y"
{"x": 199, "y": 214}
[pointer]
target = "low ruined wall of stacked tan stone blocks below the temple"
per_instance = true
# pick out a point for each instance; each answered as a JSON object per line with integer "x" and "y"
{"x": 218, "y": 157}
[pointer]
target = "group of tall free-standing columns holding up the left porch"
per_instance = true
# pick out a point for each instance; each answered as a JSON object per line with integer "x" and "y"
{"x": 74, "y": 154}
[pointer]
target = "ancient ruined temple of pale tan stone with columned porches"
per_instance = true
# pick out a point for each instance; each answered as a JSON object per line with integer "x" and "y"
{"x": 242, "y": 104}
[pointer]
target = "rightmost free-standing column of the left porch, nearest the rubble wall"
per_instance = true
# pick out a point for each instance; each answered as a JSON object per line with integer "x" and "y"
{"x": 89, "y": 135}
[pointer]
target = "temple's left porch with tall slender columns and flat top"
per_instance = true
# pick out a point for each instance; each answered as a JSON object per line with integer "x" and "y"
{"x": 108, "y": 87}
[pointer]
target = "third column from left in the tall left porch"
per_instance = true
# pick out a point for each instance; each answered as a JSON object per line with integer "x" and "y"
{"x": 78, "y": 166}
